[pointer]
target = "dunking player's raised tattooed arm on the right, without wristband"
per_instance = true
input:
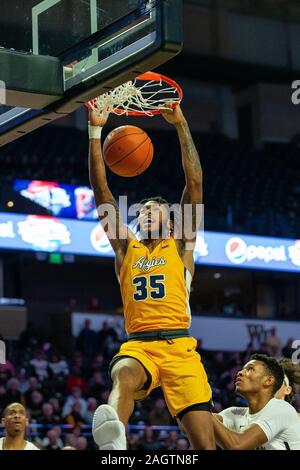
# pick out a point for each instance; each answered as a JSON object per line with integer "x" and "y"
{"x": 192, "y": 193}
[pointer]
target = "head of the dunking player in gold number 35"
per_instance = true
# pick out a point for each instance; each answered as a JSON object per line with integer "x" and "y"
{"x": 153, "y": 220}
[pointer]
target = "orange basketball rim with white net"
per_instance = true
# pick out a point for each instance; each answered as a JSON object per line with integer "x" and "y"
{"x": 146, "y": 95}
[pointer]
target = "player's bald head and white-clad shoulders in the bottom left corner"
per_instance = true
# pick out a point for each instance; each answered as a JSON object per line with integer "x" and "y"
{"x": 15, "y": 423}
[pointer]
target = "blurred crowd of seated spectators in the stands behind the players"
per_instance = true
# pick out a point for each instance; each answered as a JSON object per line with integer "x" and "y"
{"x": 61, "y": 393}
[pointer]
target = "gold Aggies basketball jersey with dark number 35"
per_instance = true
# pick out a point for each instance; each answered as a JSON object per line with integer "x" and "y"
{"x": 155, "y": 288}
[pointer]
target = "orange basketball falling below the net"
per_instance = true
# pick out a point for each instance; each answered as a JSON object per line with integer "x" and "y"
{"x": 128, "y": 151}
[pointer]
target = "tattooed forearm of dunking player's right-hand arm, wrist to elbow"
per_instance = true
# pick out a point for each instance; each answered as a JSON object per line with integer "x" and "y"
{"x": 190, "y": 157}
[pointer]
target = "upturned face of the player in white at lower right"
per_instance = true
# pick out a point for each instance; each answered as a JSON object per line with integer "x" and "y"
{"x": 252, "y": 378}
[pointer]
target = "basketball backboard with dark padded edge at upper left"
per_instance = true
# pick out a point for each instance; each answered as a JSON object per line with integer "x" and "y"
{"x": 57, "y": 54}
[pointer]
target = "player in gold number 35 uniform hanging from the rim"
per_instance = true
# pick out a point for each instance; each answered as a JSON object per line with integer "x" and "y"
{"x": 155, "y": 274}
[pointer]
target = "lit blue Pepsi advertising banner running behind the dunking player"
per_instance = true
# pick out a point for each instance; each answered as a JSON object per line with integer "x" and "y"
{"x": 67, "y": 236}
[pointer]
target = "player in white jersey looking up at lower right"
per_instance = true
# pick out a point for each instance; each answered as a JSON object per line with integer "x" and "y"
{"x": 267, "y": 423}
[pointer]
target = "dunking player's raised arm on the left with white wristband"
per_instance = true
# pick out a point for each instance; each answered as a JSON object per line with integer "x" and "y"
{"x": 108, "y": 210}
